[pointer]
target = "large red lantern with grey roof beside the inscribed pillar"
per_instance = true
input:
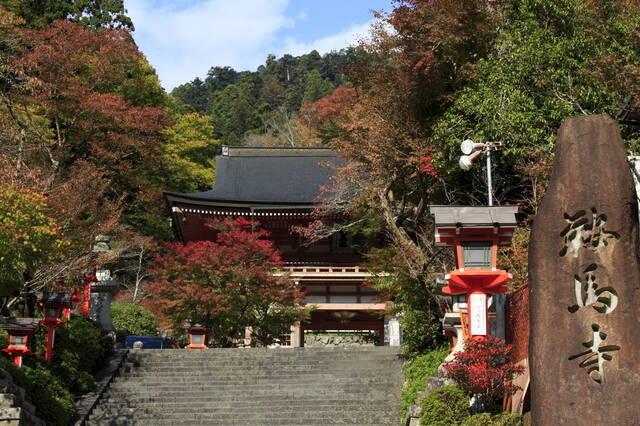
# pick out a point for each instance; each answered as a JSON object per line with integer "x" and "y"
{"x": 476, "y": 234}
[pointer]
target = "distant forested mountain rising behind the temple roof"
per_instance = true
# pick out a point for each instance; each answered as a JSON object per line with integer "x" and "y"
{"x": 252, "y": 107}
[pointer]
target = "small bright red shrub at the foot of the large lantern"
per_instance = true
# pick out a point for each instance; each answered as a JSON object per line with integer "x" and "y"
{"x": 483, "y": 368}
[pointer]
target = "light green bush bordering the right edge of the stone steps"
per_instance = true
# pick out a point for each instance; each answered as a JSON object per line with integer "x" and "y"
{"x": 417, "y": 371}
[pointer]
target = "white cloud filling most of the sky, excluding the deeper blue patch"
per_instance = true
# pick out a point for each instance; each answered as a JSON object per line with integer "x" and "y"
{"x": 182, "y": 39}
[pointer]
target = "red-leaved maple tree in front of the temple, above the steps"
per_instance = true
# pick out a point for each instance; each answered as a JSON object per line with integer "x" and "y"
{"x": 229, "y": 283}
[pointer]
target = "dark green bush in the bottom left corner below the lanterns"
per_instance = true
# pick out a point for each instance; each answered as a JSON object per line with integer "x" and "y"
{"x": 53, "y": 402}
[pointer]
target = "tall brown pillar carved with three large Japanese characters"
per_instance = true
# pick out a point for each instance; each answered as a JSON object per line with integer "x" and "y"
{"x": 584, "y": 283}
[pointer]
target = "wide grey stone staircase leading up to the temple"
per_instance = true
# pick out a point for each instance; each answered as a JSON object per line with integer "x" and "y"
{"x": 255, "y": 386}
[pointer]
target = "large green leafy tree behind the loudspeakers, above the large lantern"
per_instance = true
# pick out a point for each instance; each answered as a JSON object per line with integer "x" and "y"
{"x": 550, "y": 61}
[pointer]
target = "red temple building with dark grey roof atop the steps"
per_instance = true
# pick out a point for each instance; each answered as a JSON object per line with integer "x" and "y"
{"x": 278, "y": 187}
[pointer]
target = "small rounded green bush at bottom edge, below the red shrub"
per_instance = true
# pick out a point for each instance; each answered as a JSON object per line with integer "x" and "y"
{"x": 446, "y": 406}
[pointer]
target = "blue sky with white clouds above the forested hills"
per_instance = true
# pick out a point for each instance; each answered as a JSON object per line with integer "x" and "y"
{"x": 184, "y": 38}
